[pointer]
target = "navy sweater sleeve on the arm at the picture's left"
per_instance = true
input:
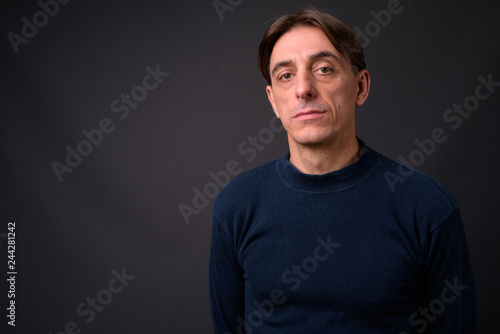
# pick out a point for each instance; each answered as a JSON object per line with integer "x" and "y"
{"x": 226, "y": 283}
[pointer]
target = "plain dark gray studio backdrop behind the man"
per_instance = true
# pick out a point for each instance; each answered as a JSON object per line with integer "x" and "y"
{"x": 120, "y": 207}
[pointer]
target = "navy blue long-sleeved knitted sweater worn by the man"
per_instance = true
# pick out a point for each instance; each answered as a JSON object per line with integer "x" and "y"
{"x": 371, "y": 248}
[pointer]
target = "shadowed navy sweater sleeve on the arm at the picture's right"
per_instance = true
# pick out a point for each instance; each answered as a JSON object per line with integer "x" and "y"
{"x": 448, "y": 303}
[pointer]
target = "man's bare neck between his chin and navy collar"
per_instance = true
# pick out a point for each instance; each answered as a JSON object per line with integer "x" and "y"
{"x": 324, "y": 158}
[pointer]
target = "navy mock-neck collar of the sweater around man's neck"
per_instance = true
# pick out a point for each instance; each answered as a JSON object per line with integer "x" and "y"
{"x": 334, "y": 181}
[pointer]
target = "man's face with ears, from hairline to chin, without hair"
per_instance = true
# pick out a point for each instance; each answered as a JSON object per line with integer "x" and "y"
{"x": 314, "y": 89}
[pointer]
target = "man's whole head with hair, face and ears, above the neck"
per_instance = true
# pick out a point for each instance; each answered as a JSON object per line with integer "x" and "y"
{"x": 315, "y": 68}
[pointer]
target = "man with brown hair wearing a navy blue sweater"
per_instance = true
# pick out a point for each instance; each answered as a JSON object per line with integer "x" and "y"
{"x": 318, "y": 241}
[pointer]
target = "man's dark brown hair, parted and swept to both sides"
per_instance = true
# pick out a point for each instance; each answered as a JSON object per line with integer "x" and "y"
{"x": 340, "y": 35}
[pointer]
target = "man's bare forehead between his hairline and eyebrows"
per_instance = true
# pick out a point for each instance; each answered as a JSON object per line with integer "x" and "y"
{"x": 300, "y": 43}
